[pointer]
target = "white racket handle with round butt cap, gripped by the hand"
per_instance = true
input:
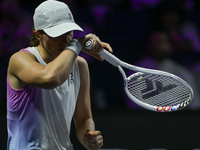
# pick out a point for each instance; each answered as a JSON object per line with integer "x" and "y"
{"x": 104, "y": 53}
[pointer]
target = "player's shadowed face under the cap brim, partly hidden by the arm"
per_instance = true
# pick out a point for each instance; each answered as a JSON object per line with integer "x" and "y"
{"x": 54, "y": 46}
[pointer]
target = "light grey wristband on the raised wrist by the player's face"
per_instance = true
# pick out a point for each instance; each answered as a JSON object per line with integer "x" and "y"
{"x": 74, "y": 45}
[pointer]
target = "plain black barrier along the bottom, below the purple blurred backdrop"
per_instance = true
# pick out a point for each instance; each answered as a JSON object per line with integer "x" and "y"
{"x": 129, "y": 129}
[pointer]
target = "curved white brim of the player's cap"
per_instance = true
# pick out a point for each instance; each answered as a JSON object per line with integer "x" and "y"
{"x": 62, "y": 29}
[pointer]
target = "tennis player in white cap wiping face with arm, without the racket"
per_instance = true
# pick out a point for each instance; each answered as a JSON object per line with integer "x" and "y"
{"x": 48, "y": 85}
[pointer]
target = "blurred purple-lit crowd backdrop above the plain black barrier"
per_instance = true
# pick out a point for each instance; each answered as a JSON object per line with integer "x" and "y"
{"x": 158, "y": 34}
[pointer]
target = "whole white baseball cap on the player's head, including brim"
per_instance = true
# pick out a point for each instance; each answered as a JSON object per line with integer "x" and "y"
{"x": 54, "y": 18}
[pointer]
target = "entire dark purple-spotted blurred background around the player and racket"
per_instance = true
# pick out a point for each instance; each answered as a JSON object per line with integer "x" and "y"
{"x": 158, "y": 34}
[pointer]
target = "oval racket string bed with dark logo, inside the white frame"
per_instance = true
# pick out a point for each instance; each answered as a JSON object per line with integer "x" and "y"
{"x": 157, "y": 90}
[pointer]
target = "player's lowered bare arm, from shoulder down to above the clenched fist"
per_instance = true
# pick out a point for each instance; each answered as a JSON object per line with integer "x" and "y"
{"x": 83, "y": 108}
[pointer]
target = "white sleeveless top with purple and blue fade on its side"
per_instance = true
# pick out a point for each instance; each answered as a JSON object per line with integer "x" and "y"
{"x": 42, "y": 118}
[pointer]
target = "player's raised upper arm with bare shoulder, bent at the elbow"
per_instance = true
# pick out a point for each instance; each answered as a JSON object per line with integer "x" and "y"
{"x": 24, "y": 69}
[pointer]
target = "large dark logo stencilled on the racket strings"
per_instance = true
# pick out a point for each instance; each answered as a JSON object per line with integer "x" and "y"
{"x": 159, "y": 88}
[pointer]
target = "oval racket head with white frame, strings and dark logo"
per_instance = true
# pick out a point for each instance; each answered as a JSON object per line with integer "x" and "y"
{"x": 158, "y": 92}
